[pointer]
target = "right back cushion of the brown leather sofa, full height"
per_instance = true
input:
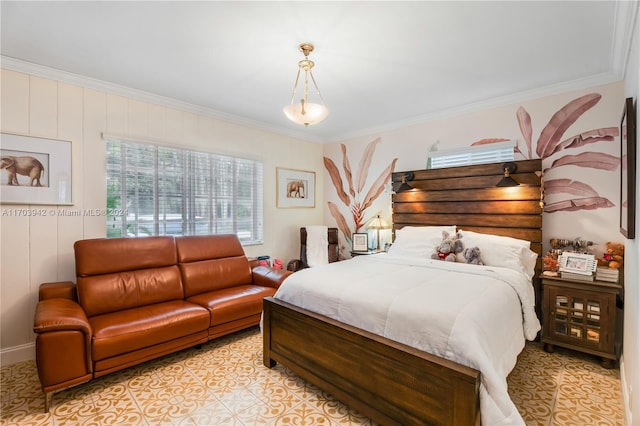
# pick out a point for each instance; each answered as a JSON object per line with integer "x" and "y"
{"x": 212, "y": 262}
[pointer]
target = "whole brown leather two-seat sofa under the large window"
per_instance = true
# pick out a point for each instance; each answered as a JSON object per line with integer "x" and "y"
{"x": 137, "y": 299}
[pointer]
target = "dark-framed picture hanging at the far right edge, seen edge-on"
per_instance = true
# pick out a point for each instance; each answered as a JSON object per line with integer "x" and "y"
{"x": 628, "y": 170}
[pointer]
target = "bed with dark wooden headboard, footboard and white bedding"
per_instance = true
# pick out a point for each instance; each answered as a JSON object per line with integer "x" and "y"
{"x": 388, "y": 370}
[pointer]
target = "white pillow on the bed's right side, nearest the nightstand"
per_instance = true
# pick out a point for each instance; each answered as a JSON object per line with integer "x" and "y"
{"x": 505, "y": 252}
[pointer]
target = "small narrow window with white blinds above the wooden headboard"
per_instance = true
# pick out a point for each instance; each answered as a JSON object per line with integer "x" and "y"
{"x": 498, "y": 152}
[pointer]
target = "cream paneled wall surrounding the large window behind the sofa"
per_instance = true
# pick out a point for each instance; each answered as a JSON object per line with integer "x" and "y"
{"x": 40, "y": 249}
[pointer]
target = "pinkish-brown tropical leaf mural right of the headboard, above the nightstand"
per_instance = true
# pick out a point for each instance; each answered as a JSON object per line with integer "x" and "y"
{"x": 552, "y": 142}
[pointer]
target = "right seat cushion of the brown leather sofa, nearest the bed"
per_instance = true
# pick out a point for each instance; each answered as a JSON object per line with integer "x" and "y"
{"x": 233, "y": 303}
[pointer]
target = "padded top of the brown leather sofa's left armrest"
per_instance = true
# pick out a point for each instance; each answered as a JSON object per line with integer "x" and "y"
{"x": 60, "y": 314}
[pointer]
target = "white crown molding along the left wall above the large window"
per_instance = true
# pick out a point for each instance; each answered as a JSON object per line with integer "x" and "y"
{"x": 31, "y": 68}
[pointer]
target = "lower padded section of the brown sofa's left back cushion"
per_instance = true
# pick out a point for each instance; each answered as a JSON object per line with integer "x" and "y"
{"x": 102, "y": 294}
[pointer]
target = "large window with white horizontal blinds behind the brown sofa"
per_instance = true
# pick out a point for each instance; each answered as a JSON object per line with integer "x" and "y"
{"x": 156, "y": 190}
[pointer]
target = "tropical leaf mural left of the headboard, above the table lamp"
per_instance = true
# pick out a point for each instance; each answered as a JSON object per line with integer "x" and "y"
{"x": 351, "y": 189}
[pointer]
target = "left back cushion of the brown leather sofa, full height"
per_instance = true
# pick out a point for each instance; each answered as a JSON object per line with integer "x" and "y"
{"x": 121, "y": 273}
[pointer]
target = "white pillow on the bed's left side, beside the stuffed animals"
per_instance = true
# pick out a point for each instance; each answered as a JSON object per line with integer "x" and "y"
{"x": 418, "y": 241}
